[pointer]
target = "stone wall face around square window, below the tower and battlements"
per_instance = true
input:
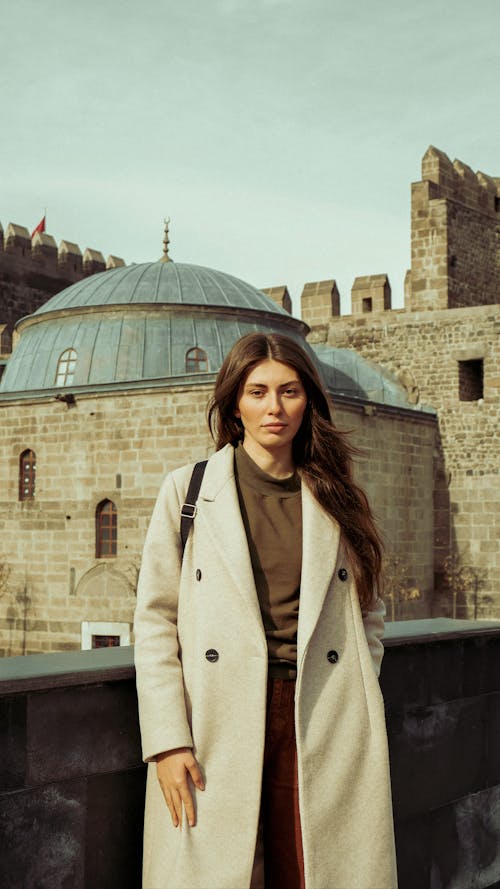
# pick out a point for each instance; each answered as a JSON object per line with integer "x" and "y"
{"x": 424, "y": 349}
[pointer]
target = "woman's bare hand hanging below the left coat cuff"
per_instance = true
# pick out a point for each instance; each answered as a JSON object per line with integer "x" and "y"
{"x": 173, "y": 767}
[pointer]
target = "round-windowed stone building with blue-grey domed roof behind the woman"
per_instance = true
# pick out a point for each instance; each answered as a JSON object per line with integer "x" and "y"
{"x": 106, "y": 390}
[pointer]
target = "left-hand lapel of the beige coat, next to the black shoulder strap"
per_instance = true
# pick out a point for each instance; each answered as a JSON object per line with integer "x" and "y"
{"x": 219, "y": 505}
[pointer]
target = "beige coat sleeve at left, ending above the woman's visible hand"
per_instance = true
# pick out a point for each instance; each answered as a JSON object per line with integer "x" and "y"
{"x": 160, "y": 687}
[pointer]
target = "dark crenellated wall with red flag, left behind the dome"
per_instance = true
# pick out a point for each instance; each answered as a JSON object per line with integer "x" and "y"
{"x": 34, "y": 269}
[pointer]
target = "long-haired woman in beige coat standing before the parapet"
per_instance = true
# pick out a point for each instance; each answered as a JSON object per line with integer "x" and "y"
{"x": 258, "y": 650}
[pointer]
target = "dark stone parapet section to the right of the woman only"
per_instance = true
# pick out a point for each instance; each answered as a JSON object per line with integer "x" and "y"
{"x": 441, "y": 684}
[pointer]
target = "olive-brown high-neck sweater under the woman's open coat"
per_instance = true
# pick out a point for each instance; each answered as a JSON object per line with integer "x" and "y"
{"x": 272, "y": 514}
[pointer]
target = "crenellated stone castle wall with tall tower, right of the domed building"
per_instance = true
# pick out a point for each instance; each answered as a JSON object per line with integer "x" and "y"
{"x": 443, "y": 348}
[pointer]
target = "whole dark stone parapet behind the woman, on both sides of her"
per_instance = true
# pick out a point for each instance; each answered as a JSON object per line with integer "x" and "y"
{"x": 72, "y": 780}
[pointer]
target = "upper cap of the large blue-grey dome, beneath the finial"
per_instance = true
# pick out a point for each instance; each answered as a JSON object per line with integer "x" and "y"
{"x": 162, "y": 283}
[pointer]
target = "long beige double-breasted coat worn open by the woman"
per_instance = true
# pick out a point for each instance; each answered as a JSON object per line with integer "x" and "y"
{"x": 218, "y": 707}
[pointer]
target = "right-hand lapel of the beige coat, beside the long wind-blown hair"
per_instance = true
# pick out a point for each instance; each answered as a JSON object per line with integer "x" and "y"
{"x": 320, "y": 544}
